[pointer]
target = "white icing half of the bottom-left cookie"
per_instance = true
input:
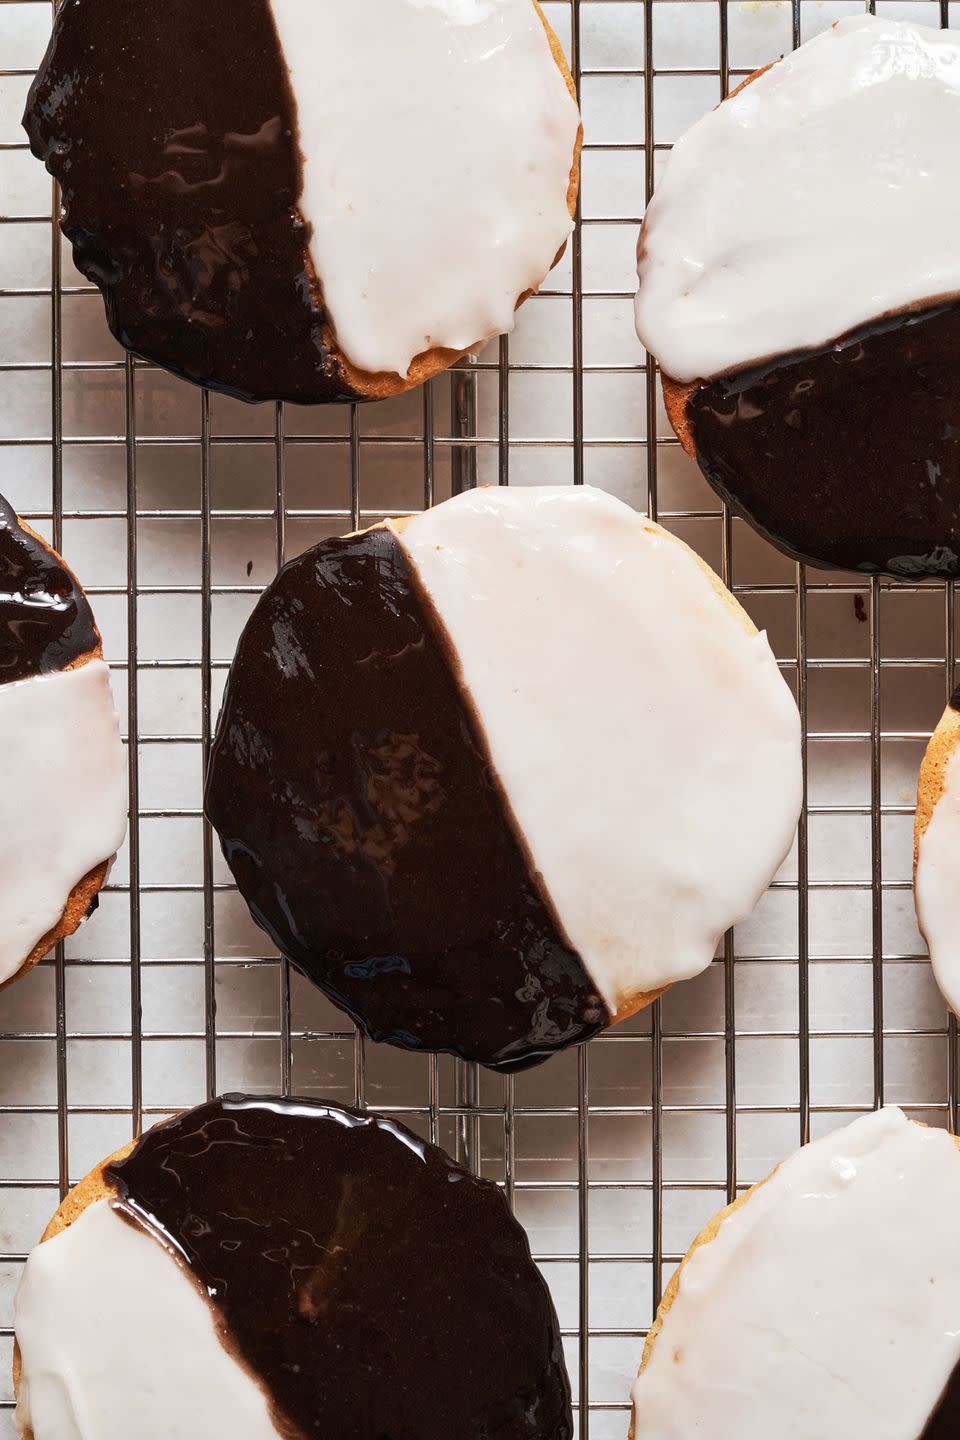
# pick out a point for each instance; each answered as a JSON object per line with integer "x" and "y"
{"x": 117, "y": 1340}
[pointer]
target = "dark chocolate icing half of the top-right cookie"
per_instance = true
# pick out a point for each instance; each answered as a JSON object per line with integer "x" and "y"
{"x": 850, "y": 456}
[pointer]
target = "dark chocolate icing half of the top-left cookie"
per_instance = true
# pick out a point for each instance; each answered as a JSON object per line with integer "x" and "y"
{"x": 172, "y": 130}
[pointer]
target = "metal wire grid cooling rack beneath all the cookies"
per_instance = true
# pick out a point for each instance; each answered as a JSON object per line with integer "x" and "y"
{"x": 176, "y": 508}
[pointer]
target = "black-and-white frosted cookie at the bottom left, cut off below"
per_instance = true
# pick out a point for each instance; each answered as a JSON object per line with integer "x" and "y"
{"x": 266, "y": 1268}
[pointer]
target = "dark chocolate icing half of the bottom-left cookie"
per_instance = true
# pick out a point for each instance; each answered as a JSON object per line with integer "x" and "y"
{"x": 369, "y": 1284}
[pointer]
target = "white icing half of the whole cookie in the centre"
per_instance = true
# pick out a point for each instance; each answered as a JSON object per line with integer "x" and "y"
{"x": 647, "y": 744}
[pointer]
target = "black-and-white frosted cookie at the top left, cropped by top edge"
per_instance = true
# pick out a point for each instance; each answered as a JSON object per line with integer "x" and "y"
{"x": 310, "y": 202}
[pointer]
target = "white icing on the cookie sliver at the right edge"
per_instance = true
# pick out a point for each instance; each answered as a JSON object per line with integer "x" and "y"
{"x": 938, "y": 885}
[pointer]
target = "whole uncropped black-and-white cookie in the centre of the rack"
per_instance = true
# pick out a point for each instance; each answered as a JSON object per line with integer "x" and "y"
{"x": 497, "y": 775}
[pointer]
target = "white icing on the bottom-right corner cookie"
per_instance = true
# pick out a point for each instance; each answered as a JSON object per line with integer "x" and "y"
{"x": 825, "y": 1307}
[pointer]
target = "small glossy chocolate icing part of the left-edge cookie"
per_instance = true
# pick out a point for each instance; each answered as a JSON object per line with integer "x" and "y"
{"x": 45, "y": 620}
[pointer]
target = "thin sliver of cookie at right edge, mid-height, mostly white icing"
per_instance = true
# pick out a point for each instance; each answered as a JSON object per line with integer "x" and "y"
{"x": 936, "y": 853}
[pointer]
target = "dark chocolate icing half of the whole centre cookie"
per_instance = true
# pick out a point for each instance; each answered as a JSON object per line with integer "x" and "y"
{"x": 362, "y": 819}
